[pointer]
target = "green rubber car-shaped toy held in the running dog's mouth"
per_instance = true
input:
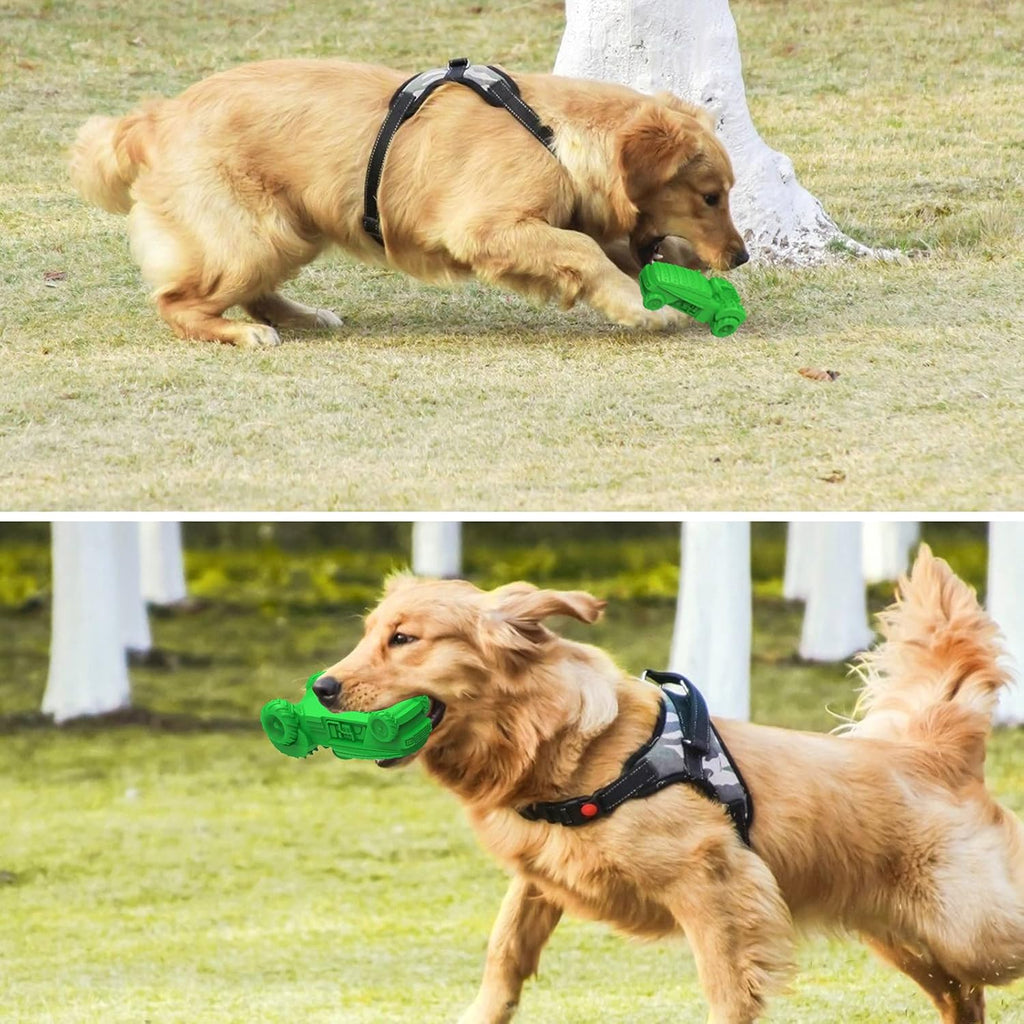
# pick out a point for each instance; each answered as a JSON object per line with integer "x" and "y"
{"x": 300, "y": 729}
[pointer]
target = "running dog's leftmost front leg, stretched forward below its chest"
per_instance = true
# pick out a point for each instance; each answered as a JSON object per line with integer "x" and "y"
{"x": 525, "y": 923}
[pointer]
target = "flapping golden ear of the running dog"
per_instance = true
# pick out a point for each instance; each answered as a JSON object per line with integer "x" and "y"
{"x": 513, "y": 624}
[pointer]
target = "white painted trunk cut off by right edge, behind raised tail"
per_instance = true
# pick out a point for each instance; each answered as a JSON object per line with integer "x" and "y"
{"x": 1006, "y": 605}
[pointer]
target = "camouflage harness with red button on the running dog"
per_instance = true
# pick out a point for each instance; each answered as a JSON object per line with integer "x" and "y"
{"x": 685, "y": 748}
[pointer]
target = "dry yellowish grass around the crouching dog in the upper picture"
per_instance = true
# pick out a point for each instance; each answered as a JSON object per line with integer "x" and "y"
{"x": 904, "y": 118}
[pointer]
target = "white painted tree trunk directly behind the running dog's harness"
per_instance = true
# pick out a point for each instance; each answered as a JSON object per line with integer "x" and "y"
{"x": 711, "y": 644}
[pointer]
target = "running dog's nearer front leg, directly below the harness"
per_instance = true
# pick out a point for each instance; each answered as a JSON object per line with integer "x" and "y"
{"x": 739, "y": 928}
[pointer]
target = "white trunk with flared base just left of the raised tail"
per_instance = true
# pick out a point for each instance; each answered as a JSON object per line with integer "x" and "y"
{"x": 836, "y": 617}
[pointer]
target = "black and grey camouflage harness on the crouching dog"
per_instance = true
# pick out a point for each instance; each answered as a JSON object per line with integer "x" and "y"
{"x": 490, "y": 83}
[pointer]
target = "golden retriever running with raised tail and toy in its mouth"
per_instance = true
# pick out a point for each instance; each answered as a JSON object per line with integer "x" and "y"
{"x": 887, "y": 831}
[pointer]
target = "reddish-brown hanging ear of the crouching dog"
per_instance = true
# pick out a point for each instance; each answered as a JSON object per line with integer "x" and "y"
{"x": 654, "y": 145}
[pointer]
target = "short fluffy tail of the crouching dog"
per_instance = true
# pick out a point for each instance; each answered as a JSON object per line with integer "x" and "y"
{"x": 107, "y": 156}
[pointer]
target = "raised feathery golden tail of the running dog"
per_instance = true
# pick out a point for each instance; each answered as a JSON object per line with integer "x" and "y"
{"x": 937, "y": 676}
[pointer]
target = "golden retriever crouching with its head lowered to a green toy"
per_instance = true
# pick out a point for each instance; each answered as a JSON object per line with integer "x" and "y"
{"x": 248, "y": 176}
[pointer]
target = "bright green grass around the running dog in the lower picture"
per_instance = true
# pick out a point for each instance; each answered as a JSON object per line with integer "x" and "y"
{"x": 170, "y": 867}
